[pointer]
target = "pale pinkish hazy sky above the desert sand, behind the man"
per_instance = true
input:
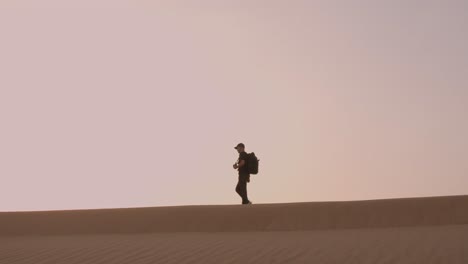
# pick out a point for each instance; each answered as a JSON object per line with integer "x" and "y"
{"x": 140, "y": 103}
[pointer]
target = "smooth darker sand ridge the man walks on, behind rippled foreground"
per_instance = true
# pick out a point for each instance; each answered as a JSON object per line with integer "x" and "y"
{"x": 387, "y": 213}
